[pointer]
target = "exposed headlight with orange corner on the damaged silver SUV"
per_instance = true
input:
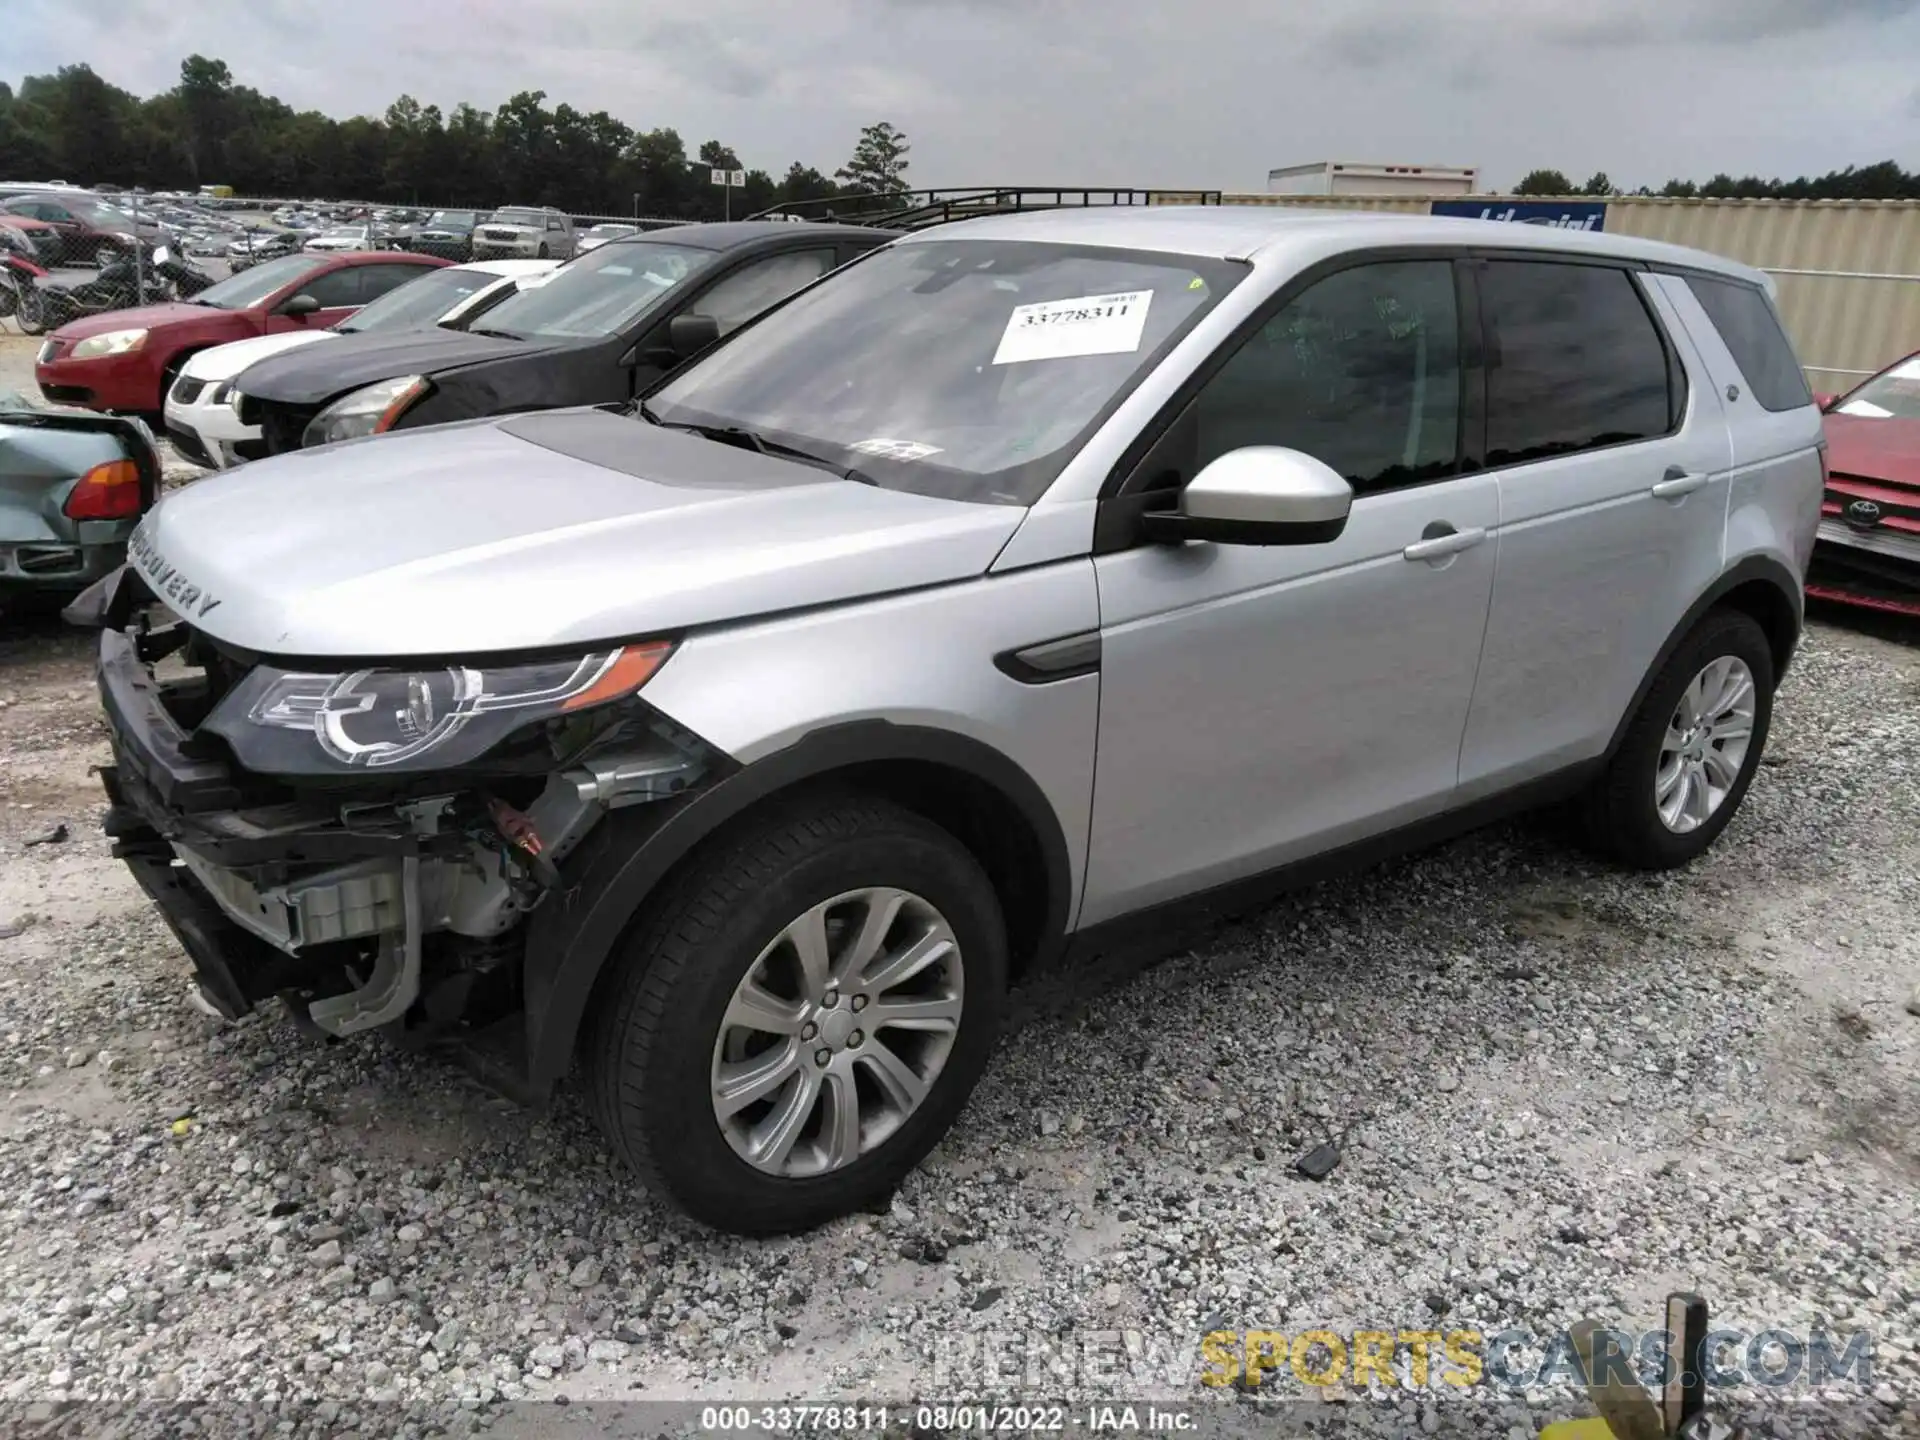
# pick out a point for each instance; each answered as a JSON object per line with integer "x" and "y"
{"x": 293, "y": 723}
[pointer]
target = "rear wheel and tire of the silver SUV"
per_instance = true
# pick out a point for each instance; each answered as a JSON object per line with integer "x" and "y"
{"x": 1691, "y": 750}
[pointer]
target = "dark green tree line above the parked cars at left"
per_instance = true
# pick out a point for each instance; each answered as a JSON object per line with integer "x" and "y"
{"x": 74, "y": 126}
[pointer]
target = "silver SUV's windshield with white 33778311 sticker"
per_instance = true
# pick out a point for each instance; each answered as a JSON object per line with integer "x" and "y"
{"x": 969, "y": 370}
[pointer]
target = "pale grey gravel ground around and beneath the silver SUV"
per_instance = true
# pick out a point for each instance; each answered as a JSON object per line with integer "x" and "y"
{"x": 1560, "y": 1093}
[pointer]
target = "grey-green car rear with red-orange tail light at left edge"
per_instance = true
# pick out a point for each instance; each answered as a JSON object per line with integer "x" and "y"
{"x": 72, "y": 491}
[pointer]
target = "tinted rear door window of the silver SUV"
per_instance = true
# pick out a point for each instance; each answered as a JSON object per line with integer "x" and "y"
{"x": 1573, "y": 362}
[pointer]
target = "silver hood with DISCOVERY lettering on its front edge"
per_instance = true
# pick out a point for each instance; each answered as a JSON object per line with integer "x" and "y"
{"x": 537, "y": 531}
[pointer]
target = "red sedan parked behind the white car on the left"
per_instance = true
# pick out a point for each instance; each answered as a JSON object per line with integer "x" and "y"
{"x": 126, "y": 360}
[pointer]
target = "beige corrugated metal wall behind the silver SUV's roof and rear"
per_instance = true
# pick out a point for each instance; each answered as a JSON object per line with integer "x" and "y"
{"x": 1848, "y": 272}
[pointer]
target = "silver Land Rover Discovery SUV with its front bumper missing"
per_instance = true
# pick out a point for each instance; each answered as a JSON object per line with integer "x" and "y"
{"x": 1017, "y": 587}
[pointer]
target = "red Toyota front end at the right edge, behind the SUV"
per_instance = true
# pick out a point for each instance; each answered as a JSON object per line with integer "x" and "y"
{"x": 1869, "y": 550}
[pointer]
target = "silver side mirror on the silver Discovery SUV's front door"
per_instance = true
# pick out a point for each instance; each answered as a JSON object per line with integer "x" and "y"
{"x": 1259, "y": 496}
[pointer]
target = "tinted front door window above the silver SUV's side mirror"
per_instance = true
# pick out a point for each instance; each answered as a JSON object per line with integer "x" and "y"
{"x": 1360, "y": 372}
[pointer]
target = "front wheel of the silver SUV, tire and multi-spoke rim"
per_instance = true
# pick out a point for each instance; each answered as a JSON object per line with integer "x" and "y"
{"x": 798, "y": 1020}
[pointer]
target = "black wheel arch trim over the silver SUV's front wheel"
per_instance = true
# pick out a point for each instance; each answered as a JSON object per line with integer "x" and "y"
{"x": 627, "y": 857}
